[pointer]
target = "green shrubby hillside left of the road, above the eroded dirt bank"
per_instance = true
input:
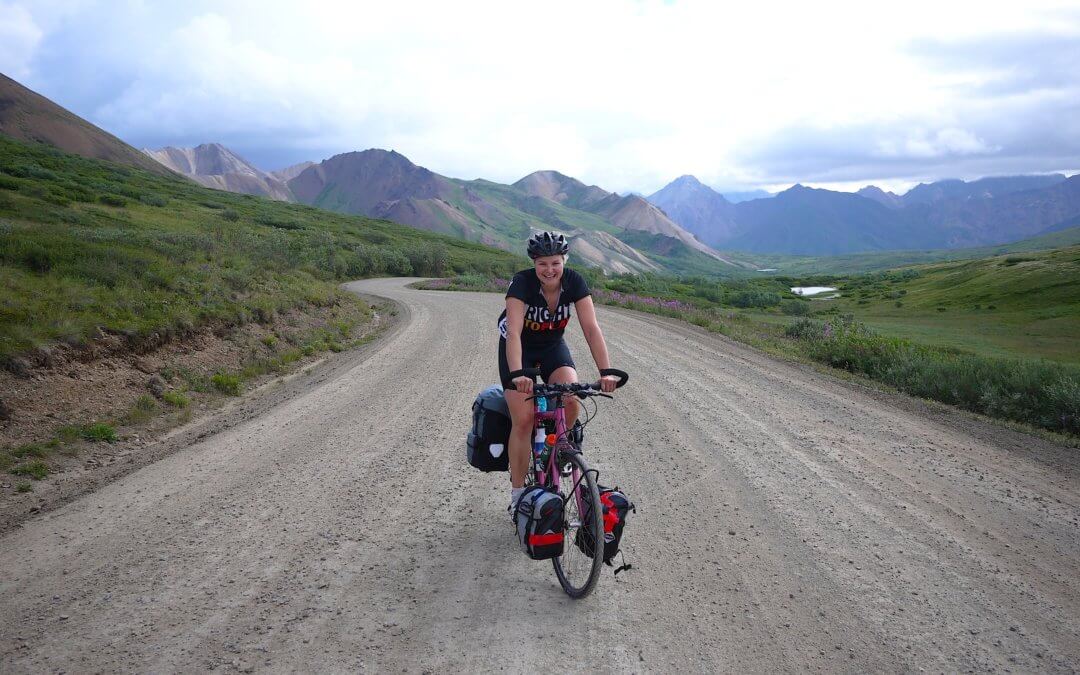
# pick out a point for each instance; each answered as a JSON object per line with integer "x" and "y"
{"x": 88, "y": 245}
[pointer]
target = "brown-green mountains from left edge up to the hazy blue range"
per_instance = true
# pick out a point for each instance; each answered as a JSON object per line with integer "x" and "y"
{"x": 387, "y": 185}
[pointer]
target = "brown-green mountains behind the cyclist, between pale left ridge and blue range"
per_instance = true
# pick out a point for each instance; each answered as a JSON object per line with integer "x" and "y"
{"x": 386, "y": 184}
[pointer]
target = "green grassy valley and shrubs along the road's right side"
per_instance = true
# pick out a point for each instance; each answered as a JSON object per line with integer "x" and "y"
{"x": 998, "y": 336}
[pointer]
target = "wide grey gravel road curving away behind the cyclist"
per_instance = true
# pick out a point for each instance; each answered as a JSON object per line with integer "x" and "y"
{"x": 787, "y": 522}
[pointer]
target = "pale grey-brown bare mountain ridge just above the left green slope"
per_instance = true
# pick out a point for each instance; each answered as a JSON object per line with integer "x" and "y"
{"x": 217, "y": 167}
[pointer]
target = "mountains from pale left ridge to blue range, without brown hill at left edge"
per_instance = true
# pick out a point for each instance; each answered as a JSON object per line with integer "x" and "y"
{"x": 387, "y": 185}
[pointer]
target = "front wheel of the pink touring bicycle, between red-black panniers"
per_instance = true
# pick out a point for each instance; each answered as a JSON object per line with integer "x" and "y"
{"x": 579, "y": 568}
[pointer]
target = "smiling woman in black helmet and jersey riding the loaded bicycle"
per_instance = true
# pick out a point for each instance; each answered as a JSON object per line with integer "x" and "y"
{"x": 531, "y": 330}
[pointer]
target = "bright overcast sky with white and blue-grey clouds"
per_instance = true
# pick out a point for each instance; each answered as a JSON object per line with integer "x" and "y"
{"x": 627, "y": 96}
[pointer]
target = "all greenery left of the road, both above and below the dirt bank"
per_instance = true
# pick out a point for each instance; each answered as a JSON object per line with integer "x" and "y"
{"x": 93, "y": 252}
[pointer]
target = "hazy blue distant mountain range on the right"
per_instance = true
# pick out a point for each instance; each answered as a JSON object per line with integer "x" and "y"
{"x": 946, "y": 214}
